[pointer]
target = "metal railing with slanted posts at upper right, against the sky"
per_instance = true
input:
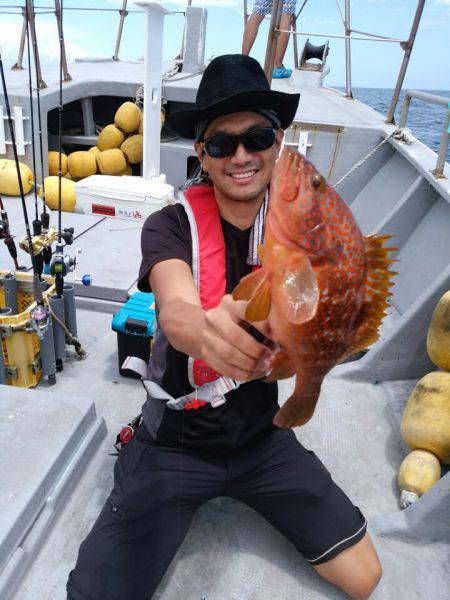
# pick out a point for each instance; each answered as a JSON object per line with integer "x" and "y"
{"x": 348, "y": 36}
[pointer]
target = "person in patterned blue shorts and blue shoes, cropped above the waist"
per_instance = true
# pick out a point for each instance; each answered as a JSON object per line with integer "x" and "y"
{"x": 261, "y": 8}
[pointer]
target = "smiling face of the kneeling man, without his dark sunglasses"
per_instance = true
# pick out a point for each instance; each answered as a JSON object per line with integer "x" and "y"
{"x": 245, "y": 175}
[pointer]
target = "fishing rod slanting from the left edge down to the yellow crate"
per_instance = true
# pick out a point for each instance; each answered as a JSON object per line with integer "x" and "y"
{"x": 38, "y": 315}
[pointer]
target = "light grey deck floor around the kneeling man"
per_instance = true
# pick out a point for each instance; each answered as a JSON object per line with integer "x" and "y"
{"x": 353, "y": 432}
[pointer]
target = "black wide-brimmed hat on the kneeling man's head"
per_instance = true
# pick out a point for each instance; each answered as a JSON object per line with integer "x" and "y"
{"x": 232, "y": 83}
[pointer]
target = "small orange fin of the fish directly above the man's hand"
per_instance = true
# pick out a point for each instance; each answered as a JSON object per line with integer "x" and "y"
{"x": 256, "y": 288}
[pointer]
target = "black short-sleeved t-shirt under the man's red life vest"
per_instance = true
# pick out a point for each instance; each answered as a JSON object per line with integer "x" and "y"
{"x": 249, "y": 410}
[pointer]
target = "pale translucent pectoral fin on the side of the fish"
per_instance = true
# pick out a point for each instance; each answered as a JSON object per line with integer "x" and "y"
{"x": 299, "y": 291}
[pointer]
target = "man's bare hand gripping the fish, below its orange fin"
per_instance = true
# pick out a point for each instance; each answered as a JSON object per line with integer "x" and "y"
{"x": 228, "y": 348}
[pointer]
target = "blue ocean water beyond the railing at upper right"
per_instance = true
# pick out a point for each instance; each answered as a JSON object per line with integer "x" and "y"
{"x": 424, "y": 120}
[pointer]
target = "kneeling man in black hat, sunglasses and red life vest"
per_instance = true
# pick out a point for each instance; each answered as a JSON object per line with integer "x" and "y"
{"x": 224, "y": 444}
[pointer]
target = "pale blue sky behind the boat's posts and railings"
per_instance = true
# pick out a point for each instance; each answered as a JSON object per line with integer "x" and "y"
{"x": 374, "y": 64}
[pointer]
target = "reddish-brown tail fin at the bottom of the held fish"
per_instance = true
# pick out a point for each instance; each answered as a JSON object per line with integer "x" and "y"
{"x": 299, "y": 408}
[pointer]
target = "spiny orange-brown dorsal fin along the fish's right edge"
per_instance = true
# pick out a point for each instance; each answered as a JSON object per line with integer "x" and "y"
{"x": 376, "y": 300}
